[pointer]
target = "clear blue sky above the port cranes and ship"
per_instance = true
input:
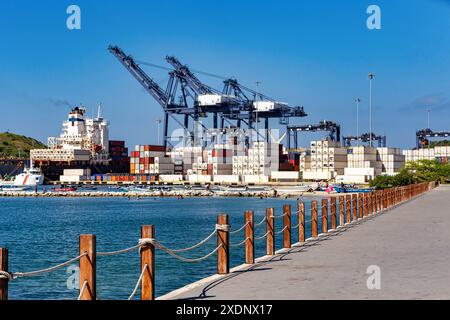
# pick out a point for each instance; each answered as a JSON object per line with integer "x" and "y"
{"x": 311, "y": 53}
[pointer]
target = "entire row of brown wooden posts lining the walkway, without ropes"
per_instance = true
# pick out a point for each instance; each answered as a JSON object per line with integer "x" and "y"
{"x": 351, "y": 208}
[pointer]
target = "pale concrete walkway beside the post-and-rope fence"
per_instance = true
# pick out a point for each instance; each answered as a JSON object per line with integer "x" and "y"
{"x": 410, "y": 244}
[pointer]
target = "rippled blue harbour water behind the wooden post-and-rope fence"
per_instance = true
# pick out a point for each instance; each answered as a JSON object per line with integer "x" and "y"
{"x": 42, "y": 232}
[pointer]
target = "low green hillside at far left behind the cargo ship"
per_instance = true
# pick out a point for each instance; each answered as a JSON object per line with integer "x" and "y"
{"x": 16, "y": 146}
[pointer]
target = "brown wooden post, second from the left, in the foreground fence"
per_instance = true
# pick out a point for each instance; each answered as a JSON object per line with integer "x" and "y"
{"x": 88, "y": 266}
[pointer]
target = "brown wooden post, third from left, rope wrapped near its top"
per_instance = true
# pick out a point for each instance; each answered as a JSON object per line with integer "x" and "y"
{"x": 148, "y": 258}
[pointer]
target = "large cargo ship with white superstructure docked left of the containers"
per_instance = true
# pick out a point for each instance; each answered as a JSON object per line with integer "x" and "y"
{"x": 83, "y": 143}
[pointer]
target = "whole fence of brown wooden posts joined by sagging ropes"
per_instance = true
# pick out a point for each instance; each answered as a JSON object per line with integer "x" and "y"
{"x": 364, "y": 204}
